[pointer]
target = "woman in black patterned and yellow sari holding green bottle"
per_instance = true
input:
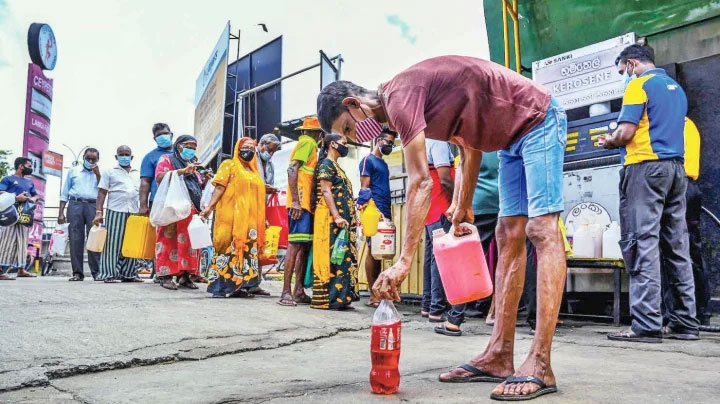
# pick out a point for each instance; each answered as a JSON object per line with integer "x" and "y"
{"x": 333, "y": 285}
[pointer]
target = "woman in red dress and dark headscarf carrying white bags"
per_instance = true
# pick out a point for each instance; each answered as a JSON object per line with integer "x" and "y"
{"x": 174, "y": 256}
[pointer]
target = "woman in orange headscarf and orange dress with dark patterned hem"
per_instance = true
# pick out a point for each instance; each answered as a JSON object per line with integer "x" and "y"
{"x": 239, "y": 233}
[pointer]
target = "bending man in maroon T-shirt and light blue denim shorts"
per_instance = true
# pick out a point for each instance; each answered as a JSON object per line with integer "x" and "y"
{"x": 480, "y": 106}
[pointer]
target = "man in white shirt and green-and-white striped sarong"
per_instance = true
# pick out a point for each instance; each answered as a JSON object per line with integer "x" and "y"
{"x": 120, "y": 186}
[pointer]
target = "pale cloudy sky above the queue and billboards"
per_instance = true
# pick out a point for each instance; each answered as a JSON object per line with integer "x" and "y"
{"x": 124, "y": 65}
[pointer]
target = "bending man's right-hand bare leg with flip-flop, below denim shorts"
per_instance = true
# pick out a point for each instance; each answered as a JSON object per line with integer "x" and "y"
{"x": 545, "y": 235}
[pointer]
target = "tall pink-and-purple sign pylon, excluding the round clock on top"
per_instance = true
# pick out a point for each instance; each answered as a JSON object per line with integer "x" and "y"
{"x": 36, "y": 136}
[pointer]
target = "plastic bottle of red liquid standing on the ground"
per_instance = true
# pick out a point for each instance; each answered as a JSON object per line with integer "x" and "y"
{"x": 385, "y": 349}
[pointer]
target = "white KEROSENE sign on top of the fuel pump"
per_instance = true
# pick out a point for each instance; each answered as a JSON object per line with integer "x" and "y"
{"x": 584, "y": 76}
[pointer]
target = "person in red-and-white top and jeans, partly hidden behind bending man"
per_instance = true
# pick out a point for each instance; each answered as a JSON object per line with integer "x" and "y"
{"x": 442, "y": 172}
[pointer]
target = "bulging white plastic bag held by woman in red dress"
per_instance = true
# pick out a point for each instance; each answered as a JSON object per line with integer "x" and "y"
{"x": 172, "y": 201}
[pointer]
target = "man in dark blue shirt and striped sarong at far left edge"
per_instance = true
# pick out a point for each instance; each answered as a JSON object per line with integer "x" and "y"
{"x": 14, "y": 239}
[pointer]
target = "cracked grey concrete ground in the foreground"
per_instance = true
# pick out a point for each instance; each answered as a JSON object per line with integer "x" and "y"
{"x": 90, "y": 342}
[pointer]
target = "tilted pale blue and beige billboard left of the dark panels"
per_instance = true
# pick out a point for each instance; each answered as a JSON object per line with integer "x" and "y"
{"x": 210, "y": 100}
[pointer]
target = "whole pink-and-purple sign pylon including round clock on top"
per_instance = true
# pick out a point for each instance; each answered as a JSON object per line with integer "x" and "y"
{"x": 42, "y": 48}
